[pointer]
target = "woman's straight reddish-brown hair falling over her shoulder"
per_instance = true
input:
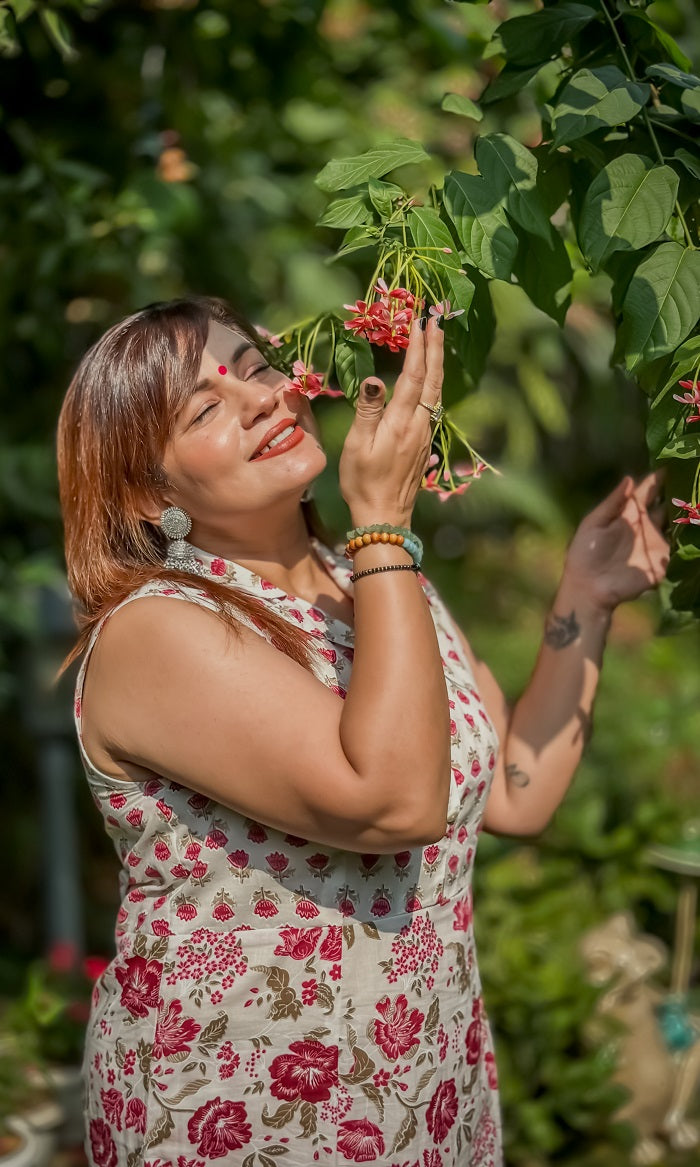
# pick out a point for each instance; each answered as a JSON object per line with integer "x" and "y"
{"x": 114, "y": 428}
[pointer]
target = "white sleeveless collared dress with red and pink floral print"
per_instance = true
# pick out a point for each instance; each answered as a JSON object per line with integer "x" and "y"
{"x": 276, "y": 1003}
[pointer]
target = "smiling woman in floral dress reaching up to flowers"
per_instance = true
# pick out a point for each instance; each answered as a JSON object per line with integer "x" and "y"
{"x": 295, "y": 766}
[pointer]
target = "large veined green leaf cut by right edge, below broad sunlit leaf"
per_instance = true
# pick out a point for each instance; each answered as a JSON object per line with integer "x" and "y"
{"x": 662, "y": 304}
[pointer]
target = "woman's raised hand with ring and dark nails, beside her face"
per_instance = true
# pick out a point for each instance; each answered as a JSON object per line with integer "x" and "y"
{"x": 387, "y": 450}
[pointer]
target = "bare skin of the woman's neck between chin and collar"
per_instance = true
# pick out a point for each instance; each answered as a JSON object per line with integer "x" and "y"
{"x": 275, "y": 547}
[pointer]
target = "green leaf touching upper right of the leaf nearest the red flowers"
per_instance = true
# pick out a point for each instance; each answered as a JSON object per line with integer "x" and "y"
{"x": 512, "y": 172}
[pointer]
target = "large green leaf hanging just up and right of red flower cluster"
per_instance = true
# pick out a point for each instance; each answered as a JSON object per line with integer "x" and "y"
{"x": 481, "y": 223}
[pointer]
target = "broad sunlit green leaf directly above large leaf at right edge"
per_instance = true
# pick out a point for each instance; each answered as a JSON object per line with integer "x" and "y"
{"x": 627, "y": 207}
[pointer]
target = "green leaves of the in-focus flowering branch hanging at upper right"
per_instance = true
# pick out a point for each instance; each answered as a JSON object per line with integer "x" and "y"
{"x": 619, "y": 184}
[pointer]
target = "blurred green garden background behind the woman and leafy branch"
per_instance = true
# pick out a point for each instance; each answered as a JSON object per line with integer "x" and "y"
{"x": 176, "y": 151}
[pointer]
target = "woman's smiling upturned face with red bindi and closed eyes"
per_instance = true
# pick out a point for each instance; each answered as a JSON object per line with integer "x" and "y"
{"x": 219, "y": 459}
